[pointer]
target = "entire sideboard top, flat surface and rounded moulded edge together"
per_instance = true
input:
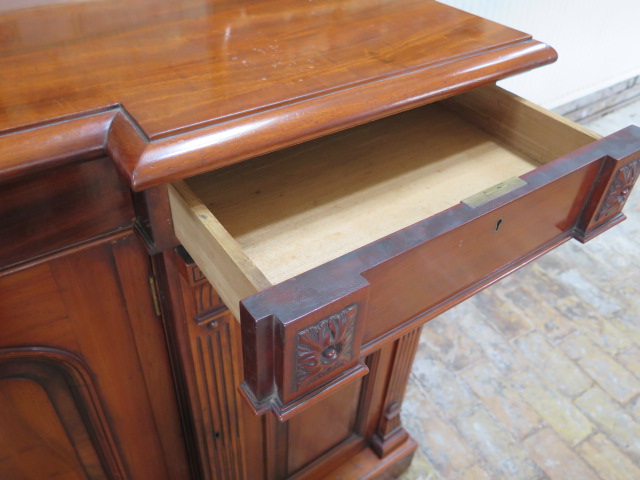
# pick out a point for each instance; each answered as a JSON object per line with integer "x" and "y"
{"x": 170, "y": 89}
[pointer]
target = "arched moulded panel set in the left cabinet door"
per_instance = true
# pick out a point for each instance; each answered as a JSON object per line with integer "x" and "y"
{"x": 70, "y": 401}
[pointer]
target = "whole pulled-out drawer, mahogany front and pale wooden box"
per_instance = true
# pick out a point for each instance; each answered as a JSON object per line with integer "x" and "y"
{"x": 328, "y": 249}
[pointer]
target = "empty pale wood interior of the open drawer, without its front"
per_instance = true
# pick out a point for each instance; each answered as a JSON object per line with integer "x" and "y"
{"x": 298, "y": 208}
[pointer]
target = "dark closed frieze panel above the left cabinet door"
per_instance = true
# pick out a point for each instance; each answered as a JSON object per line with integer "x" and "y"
{"x": 49, "y": 211}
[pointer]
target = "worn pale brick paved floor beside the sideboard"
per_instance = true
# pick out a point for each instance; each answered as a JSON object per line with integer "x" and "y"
{"x": 538, "y": 376}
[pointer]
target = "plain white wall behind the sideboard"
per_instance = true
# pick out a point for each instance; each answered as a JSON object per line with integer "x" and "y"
{"x": 598, "y": 43}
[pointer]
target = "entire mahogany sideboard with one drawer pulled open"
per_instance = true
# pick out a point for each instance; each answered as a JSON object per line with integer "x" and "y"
{"x": 223, "y": 223}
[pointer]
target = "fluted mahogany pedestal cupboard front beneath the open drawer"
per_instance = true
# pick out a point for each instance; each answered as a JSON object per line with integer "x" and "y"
{"x": 341, "y": 431}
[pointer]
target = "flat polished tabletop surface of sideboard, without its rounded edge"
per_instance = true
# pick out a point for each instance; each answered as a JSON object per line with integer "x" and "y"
{"x": 191, "y": 63}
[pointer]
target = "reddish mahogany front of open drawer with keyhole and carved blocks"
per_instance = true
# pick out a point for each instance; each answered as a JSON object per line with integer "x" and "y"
{"x": 412, "y": 275}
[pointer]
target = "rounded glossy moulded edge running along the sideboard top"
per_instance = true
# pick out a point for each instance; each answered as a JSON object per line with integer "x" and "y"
{"x": 144, "y": 163}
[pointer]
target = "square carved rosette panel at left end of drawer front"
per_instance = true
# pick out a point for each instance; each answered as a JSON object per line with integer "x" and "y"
{"x": 325, "y": 346}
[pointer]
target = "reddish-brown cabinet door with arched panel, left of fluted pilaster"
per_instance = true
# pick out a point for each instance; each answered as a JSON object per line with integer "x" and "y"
{"x": 85, "y": 384}
